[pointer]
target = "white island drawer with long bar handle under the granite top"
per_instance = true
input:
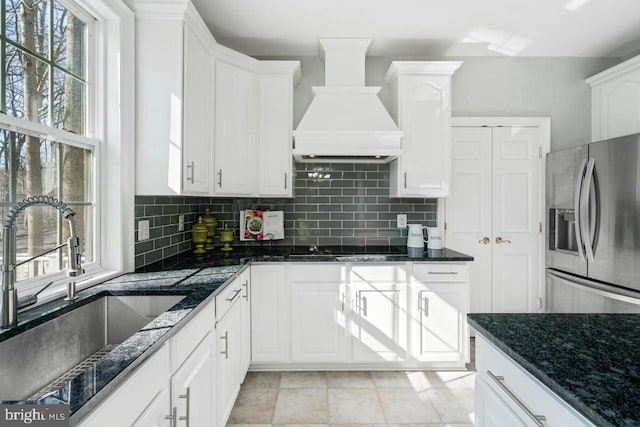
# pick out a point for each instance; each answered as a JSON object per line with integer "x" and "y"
{"x": 519, "y": 390}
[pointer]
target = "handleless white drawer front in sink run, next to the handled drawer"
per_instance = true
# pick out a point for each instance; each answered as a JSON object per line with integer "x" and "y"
{"x": 188, "y": 338}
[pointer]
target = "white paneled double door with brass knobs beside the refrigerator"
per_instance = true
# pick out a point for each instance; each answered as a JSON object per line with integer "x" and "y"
{"x": 494, "y": 213}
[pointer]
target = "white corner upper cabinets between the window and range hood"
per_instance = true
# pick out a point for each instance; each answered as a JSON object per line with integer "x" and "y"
{"x": 209, "y": 120}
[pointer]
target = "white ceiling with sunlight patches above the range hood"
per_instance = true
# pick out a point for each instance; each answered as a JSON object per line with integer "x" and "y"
{"x": 587, "y": 28}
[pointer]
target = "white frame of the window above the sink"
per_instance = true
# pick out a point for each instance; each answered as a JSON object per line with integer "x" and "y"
{"x": 109, "y": 129}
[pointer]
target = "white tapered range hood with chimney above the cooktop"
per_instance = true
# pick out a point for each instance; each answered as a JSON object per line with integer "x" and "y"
{"x": 346, "y": 121}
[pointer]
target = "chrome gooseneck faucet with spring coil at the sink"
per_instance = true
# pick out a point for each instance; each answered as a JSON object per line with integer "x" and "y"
{"x": 9, "y": 301}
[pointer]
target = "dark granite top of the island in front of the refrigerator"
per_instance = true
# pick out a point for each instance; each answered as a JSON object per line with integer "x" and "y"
{"x": 592, "y": 361}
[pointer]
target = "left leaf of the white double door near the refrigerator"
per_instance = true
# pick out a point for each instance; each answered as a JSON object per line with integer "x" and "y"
{"x": 469, "y": 208}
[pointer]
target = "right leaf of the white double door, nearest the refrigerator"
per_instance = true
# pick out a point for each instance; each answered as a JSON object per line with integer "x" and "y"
{"x": 516, "y": 206}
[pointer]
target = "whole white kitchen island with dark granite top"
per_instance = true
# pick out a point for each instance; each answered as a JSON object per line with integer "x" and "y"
{"x": 588, "y": 363}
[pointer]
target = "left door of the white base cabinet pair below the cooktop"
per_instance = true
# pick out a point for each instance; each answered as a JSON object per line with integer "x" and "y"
{"x": 318, "y": 322}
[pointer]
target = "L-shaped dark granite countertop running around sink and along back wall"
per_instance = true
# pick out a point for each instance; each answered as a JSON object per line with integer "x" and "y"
{"x": 198, "y": 278}
